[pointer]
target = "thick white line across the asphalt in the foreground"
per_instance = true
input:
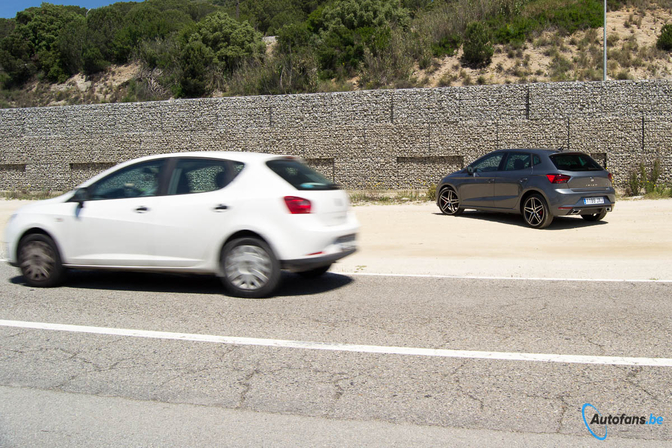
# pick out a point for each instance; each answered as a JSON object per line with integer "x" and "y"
{"x": 308, "y": 345}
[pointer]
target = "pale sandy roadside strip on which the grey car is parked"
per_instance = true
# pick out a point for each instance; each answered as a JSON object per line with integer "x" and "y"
{"x": 633, "y": 242}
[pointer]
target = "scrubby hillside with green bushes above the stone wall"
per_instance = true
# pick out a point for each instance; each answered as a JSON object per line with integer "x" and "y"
{"x": 160, "y": 49}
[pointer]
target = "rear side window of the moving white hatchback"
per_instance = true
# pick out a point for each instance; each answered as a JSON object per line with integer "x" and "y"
{"x": 200, "y": 175}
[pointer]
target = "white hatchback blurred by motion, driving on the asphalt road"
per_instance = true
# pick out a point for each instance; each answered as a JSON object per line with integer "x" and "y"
{"x": 241, "y": 216}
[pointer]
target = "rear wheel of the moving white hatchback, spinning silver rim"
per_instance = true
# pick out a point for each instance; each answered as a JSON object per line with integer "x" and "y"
{"x": 249, "y": 268}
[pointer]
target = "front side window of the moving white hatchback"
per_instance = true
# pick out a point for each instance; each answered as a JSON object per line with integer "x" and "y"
{"x": 139, "y": 180}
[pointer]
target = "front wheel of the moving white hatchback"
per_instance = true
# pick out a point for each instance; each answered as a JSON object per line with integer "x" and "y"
{"x": 39, "y": 261}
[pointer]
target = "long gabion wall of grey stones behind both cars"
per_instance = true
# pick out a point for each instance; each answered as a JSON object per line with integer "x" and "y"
{"x": 386, "y": 139}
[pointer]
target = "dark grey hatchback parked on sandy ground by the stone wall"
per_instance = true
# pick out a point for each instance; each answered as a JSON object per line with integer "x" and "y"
{"x": 536, "y": 183}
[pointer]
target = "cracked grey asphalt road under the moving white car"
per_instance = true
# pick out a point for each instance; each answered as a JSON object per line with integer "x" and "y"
{"x": 63, "y": 388}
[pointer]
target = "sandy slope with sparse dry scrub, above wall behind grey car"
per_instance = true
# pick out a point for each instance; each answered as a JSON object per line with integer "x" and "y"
{"x": 632, "y": 34}
